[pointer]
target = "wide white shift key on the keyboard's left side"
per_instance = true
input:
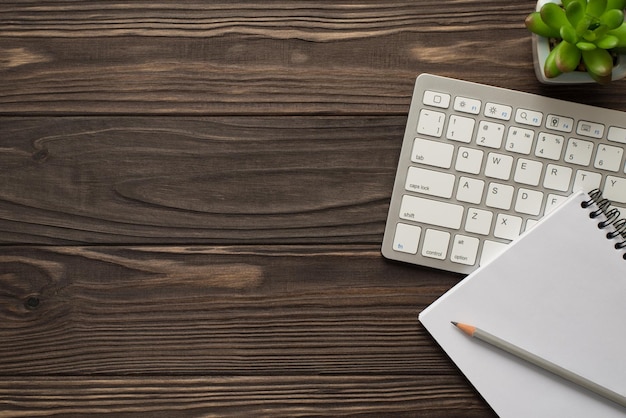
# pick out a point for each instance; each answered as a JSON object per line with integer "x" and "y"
{"x": 431, "y": 212}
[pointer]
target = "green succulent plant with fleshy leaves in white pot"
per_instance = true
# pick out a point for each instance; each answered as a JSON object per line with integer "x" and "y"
{"x": 585, "y": 31}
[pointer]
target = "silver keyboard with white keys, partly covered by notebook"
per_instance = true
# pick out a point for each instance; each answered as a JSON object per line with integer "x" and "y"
{"x": 479, "y": 165}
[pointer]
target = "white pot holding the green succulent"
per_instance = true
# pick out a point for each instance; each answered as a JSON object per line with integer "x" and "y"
{"x": 541, "y": 49}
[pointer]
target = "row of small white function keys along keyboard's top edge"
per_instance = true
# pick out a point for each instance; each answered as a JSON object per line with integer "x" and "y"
{"x": 524, "y": 116}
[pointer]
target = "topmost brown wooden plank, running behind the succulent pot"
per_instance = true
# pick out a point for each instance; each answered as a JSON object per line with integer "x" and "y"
{"x": 202, "y": 58}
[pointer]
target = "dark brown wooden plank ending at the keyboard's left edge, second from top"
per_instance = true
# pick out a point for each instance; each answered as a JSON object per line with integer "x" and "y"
{"x": 196, "y": 180}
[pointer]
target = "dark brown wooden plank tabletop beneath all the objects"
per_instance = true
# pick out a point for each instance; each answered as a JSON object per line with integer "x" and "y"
{"x": 193, "y": 196}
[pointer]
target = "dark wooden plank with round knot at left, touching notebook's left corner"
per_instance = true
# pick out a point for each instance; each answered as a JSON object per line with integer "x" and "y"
{"x": 253, "y": 310}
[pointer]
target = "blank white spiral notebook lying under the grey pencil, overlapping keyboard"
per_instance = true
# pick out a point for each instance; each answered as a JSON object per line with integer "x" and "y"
{"x": 559, "y": 291}
